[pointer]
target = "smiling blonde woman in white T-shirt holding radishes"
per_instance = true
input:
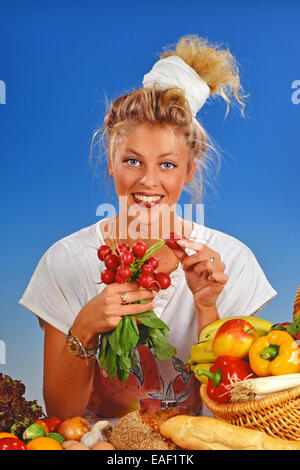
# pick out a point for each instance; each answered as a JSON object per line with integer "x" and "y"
{"x": 155, "y": 147}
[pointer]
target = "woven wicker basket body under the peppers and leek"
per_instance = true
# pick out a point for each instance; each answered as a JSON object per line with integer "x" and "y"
{"x": 277, "y": 415}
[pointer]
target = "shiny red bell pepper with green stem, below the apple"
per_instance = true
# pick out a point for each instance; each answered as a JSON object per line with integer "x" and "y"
{"x": 225, "y": 371}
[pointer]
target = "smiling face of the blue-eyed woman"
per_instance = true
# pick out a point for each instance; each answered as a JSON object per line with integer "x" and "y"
{"x": 150, "y": 168}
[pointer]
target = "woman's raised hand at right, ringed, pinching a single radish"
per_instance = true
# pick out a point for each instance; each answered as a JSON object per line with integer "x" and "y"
{"x": 204, "y": 272}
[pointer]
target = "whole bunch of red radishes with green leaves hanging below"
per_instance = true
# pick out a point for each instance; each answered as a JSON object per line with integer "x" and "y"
{"x": 117, "y": 347}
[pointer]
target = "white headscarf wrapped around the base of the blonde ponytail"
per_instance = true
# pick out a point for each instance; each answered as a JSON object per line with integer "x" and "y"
{"x": 174, "y": 71}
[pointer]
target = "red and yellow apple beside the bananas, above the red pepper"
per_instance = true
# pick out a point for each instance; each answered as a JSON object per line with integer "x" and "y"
{"x": 234, "y": 338}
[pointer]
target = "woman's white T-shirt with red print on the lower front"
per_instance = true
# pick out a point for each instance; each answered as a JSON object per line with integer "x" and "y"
{"x": 68, "y": 275}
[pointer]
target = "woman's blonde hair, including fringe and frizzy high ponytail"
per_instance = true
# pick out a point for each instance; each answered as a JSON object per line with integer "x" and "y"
{"x": 216, "y": 66}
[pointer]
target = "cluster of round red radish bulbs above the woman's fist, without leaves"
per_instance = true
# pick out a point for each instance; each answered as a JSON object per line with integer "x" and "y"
{"x": 136, "y": 263}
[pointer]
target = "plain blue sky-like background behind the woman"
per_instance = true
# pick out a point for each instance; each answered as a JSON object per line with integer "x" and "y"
{"x": 59, "y": 59}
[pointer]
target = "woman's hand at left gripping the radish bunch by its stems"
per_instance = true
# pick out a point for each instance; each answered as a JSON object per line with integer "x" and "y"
{"x": 104, "y": 311}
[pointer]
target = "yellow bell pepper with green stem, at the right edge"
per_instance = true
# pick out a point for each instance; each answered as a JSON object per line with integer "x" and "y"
{"x": 277, "y": 353}
